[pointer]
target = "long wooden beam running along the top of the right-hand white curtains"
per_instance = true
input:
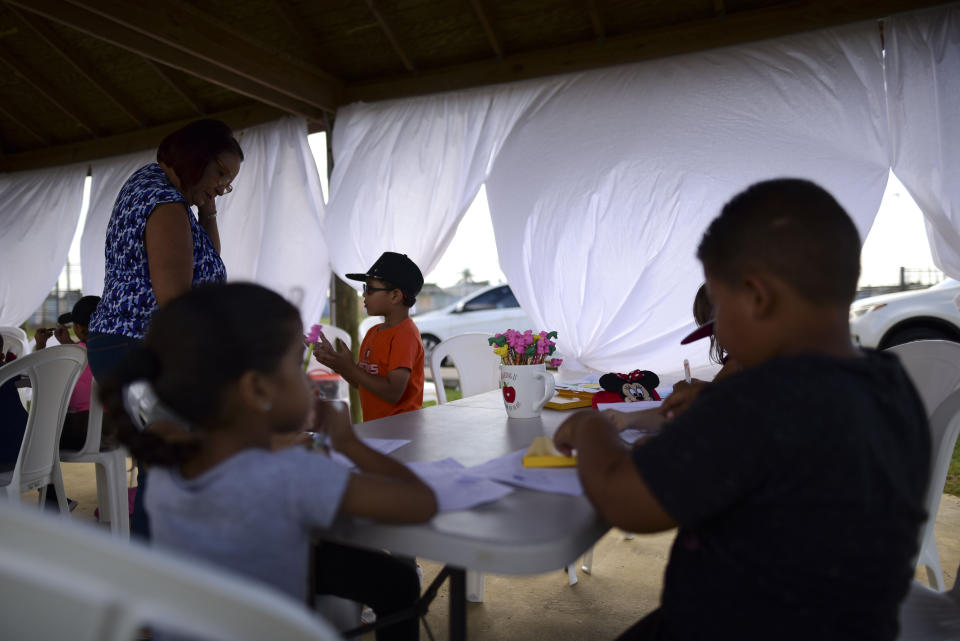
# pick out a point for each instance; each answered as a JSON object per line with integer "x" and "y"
{"x": 735, "y": 28}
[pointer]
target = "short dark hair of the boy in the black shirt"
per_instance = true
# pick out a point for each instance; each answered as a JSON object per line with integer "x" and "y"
{"x": 792, "y": 228}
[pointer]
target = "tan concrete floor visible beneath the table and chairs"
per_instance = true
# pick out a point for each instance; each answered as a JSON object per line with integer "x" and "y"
{"x": 625, "y": 583}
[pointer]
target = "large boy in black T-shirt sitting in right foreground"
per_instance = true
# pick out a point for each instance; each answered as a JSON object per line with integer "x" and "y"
{"x": 798, "y": 483}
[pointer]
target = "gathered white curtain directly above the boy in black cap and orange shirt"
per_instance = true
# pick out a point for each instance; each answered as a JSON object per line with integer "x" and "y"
{"x": 406, "y": 170}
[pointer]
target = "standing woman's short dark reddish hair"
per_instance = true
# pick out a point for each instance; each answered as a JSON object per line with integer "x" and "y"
{"x": 190, "y": 149}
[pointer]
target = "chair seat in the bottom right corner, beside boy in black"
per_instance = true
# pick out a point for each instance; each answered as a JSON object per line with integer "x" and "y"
{"x": 928, "y": 615}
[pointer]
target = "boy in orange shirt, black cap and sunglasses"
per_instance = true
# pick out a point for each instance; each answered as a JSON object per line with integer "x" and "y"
{"x": 389, "y": 373}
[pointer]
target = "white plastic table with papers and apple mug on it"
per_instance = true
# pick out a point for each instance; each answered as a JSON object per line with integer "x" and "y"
{"x": 526, "y": 532}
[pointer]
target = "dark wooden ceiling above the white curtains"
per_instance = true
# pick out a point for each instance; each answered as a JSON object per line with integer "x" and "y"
{"x": 84, "y": 79}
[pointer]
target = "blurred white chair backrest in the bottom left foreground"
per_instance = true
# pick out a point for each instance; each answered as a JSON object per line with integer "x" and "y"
{"x": 61, "y": 580}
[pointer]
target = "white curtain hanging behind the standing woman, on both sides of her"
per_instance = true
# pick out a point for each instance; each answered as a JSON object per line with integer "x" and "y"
{"x": 271, "y": 225}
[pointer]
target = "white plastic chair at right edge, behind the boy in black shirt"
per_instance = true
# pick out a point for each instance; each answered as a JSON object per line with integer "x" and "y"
{"x": 934, "y": 368}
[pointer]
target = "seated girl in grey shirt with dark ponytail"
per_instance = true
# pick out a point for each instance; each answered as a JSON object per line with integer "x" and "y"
{"x": 227, "y": 362}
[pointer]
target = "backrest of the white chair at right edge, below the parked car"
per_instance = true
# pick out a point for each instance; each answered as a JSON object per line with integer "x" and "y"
{"x": 934, "y": 368}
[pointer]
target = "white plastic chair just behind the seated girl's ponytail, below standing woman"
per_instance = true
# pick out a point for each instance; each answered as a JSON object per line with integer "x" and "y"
{"x": 111, "y": 469}
